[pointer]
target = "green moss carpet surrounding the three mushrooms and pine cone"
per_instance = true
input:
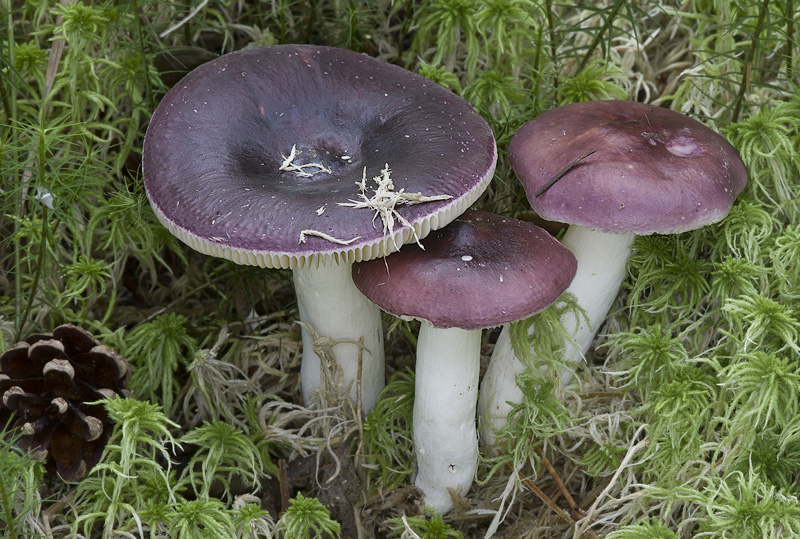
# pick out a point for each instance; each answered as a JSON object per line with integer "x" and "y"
{"x": 700, "y": 351}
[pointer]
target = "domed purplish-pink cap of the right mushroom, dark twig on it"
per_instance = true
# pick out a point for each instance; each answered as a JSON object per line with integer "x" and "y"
{"x": 654, "y": 171}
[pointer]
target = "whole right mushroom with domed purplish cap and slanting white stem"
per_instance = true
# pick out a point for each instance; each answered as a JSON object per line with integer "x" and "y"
{"x": 622, "y": 169}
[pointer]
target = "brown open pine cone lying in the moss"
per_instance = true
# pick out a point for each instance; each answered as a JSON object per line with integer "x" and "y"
{"x": 46, "y": 382}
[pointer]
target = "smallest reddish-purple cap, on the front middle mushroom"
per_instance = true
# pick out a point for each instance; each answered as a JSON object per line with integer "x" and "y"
{"x": 481, "y": 270}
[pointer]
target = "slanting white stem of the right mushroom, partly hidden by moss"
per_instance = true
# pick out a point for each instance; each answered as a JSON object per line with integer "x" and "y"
{"x": 602, "y": 259}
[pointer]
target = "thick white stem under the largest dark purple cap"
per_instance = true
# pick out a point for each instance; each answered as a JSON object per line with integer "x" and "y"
{"x": 330, "y": 306}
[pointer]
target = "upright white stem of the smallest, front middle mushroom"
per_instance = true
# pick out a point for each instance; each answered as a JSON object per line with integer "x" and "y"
{"x": 445, "y": 395}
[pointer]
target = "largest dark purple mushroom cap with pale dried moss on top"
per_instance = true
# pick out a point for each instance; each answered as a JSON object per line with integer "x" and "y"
{"x": 215, "y": 145}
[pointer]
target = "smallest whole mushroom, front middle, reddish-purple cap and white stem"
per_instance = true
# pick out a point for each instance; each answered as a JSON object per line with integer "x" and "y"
{"x": 480, "y": 271}
